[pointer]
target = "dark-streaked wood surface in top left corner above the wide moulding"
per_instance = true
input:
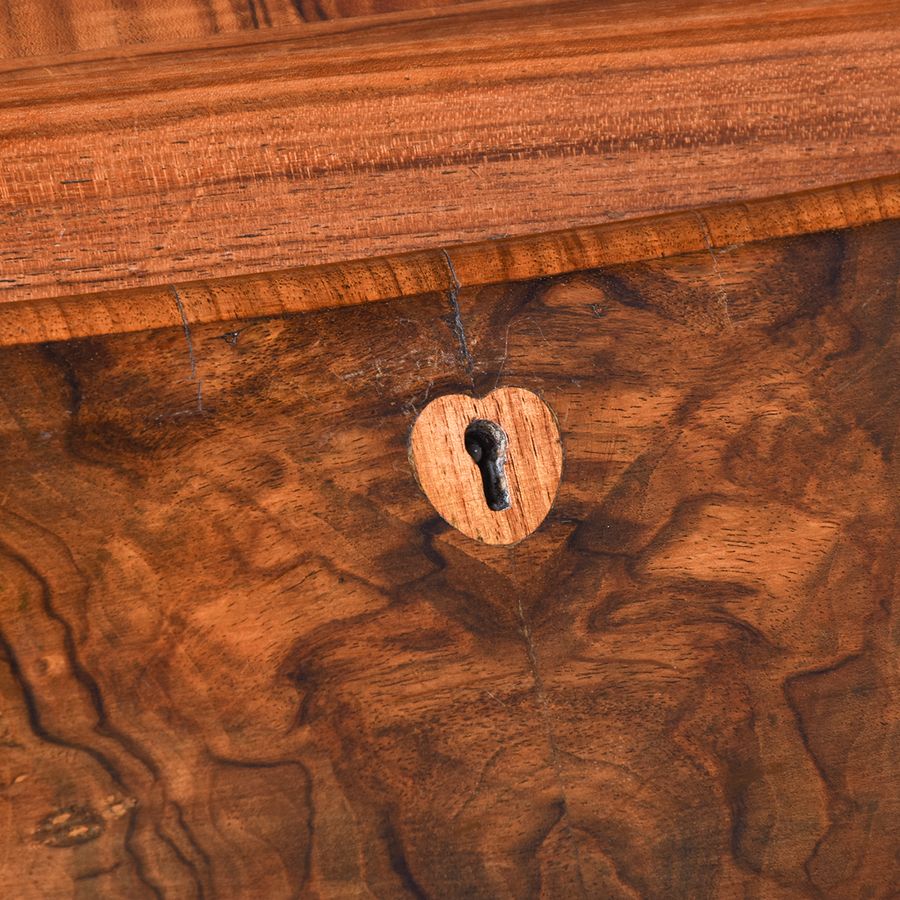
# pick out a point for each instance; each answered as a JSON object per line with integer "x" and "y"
{"x": 30, "y": 28}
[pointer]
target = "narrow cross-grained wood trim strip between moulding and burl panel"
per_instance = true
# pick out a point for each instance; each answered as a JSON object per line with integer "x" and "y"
{"x": 490, "y": 262}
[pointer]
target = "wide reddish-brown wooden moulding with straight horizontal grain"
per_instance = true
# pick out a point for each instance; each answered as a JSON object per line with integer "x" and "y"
{"x": 376, "y": 136}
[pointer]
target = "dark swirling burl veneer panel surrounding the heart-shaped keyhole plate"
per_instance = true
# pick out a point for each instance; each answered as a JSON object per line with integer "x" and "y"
{"x": 243, "y": 657}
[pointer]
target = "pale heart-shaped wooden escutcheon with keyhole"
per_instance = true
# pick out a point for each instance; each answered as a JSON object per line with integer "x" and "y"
{"x": 489, "y": 465}
